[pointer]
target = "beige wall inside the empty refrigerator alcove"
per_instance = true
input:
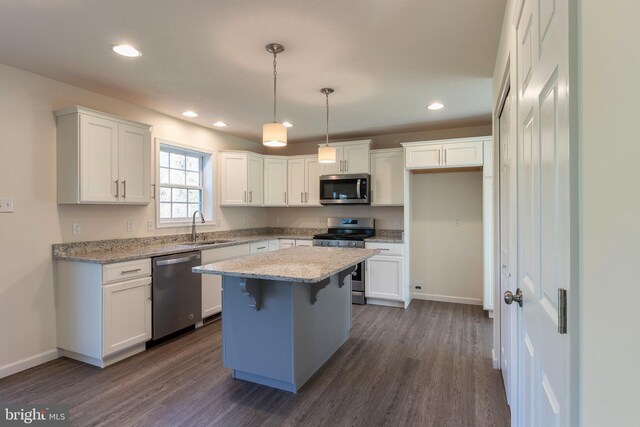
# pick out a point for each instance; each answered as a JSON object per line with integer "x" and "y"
{"x": 445, "y": 258}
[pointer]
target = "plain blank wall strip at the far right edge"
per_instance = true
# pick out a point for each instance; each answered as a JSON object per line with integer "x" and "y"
{"x": 610, "y": 211}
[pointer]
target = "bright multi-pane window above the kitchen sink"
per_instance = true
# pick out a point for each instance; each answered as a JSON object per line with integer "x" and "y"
{"x": 184, "y": 184}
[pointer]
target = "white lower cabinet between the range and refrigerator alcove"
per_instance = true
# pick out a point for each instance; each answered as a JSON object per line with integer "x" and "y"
{"x": 384, "y": 275}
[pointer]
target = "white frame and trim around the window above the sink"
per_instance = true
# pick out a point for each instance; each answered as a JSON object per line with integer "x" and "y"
{"x": 208, "y": 184}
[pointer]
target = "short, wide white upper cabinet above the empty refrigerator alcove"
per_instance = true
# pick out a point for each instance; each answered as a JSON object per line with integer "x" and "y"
{"x": 454, "y": 153}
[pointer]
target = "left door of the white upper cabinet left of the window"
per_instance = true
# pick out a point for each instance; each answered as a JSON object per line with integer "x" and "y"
{"x": 98, "y": 160}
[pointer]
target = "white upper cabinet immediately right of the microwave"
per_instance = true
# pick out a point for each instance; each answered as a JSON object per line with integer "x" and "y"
{"x": 387, "y": 177}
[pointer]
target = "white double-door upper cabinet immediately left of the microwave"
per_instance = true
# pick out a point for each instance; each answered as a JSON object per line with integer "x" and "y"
{"x": 304, "y": 181}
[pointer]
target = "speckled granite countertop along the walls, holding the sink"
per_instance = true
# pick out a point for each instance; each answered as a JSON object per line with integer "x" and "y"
{"x": 120, "y": 250}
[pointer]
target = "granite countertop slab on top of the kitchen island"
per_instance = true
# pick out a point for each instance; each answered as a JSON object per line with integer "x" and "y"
{"x": 298, "y": 264}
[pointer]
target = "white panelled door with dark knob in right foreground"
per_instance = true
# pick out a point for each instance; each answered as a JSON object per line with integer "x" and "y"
{"x": 544, "y": 214}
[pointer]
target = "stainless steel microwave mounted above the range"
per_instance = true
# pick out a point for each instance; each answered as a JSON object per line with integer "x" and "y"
{"x": 353, "y": 189}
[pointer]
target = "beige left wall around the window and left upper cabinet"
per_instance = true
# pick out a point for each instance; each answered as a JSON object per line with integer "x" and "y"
{"x": 28, "y": 174}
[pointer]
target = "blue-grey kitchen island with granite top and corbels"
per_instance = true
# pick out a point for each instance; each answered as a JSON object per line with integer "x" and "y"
{"x": 285, "y": 313}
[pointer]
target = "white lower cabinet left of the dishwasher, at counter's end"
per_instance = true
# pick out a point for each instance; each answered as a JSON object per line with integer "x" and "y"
{"x": 103, "y": 312}
